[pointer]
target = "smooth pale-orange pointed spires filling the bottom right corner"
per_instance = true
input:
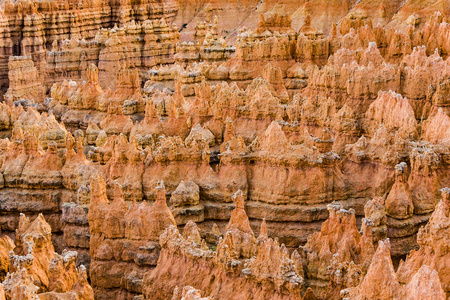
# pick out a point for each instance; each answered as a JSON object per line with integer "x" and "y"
{"x": 420, "y": 275}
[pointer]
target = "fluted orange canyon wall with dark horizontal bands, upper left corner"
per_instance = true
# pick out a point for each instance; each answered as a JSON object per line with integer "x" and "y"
{"x": 61, "y": 37}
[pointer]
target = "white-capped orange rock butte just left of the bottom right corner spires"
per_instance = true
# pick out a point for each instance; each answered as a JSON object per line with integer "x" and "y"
{"x": 338, "y": 253}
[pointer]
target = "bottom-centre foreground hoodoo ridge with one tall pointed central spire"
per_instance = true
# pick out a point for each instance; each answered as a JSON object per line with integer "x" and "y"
{"x": 240, "y": 261}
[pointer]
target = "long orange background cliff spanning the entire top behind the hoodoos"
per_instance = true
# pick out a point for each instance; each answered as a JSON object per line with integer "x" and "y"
{"x": 63, "y": 39}
